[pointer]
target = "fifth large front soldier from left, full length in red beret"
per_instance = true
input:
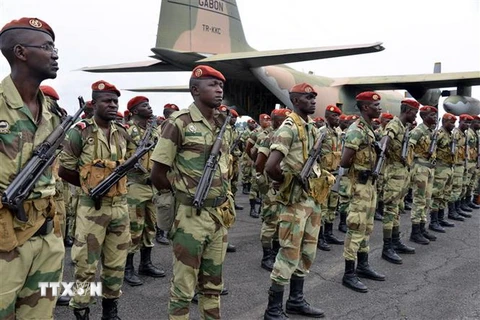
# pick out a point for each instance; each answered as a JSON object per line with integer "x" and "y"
{"x": 357, "y": 164}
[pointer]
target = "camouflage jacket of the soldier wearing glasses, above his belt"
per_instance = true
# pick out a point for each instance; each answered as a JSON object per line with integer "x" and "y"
{"x": 20, "y": 134}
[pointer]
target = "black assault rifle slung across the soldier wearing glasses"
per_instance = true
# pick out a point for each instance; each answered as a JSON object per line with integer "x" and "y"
{"x": 42, "y": 158}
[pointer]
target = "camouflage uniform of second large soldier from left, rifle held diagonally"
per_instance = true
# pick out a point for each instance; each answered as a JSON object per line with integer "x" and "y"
{"x": 100, "y": 235}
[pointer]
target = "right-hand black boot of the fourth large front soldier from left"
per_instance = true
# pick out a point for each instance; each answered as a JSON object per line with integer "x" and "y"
{"x": 296, "y": 303}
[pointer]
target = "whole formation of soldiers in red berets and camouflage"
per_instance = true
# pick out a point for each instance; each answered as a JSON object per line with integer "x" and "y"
{"x": 123, "y": 180}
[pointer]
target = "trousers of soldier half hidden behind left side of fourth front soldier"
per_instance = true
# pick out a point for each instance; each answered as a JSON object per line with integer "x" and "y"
{"x": 270, "y": 212}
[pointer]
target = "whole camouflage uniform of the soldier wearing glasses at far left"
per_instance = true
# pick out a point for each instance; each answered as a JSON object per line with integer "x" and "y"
{"x": 27, "y": 258}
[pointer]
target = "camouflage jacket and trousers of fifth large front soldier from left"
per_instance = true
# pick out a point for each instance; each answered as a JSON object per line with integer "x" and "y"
{"x": 360, "y": 137}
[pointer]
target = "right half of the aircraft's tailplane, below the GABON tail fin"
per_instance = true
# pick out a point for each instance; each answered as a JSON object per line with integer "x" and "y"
{"x": 255, "y": 59}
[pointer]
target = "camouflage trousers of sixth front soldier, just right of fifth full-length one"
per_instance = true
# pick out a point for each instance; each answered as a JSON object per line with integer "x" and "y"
{"x": 396, "y": 178}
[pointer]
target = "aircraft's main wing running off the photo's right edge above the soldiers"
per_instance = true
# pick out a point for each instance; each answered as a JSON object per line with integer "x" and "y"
{"x": 427, "y": 81}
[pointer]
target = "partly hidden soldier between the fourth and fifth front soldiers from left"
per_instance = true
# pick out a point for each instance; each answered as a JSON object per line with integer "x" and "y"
{"x": 331, "y": 152}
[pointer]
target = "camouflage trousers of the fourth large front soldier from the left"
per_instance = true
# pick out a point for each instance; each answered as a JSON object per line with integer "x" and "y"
{"x": 298, "y": 228}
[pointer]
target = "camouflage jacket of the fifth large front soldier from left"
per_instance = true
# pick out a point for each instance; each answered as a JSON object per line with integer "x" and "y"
{"x": 360, "y": 137}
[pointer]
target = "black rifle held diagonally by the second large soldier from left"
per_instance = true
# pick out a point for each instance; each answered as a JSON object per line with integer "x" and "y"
{"x": 118, "y": 173}
